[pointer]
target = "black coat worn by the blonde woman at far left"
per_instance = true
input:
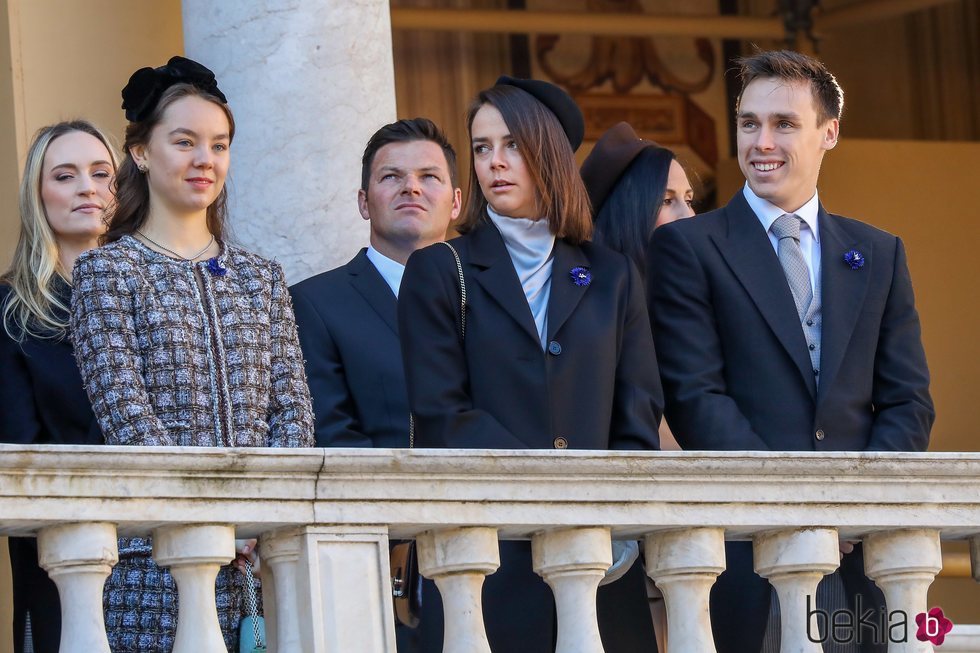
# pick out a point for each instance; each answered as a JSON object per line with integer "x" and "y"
{"x": 43, "y": 403}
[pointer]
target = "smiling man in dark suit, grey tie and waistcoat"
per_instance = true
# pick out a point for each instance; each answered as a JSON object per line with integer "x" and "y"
{"x": 780, "y": 326}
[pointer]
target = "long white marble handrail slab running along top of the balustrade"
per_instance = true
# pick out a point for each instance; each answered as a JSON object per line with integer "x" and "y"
{"x": 519, "y": 492}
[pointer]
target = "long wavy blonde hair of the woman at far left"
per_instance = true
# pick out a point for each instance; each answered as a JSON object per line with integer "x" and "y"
{"x": 33, "y": 308}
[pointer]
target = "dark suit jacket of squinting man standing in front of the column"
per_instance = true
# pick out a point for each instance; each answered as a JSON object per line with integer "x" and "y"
{"x": 348, "y": 329}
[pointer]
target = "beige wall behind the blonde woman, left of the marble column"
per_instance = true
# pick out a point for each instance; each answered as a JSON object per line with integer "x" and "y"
{"x": 63, "y": 60}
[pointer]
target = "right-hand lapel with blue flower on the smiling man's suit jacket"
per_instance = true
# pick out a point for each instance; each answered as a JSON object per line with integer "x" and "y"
{"x": 842, "y": 294}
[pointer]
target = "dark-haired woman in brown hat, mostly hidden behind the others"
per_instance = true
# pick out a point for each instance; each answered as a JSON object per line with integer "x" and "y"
{"x": 635, "y": 186}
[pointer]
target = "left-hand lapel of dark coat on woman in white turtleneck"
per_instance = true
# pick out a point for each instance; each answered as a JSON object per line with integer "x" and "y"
{"x": 496, "y": 274}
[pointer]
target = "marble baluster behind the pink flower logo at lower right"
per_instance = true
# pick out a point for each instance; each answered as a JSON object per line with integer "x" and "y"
{"x": 903, "y": 564}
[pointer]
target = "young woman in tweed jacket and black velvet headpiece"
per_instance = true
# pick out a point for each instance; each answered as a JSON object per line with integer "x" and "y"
{"x": 182, "y": 338}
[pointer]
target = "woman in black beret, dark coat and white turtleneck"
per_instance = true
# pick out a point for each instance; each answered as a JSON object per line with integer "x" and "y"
{"x": 556, "y": 350}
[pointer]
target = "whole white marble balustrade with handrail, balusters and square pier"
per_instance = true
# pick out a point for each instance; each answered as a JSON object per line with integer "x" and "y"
{"x": 324, "y": 518}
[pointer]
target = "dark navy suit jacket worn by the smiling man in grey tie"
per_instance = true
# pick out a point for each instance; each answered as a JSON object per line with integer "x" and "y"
{"x": 737, "y": 373}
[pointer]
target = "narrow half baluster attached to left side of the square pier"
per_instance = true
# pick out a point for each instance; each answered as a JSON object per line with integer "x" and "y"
{"x": 280, "y": 553}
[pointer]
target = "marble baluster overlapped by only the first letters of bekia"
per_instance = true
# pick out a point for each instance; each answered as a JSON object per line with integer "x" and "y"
{"x": 794, "y": 561}
